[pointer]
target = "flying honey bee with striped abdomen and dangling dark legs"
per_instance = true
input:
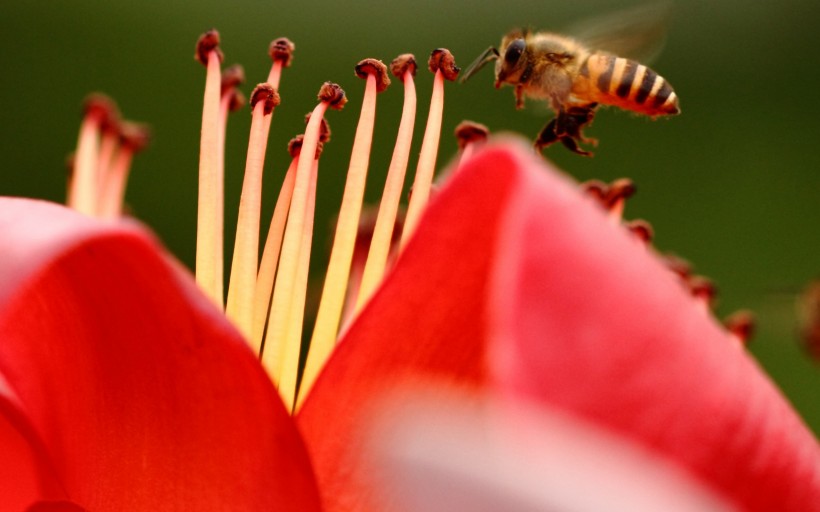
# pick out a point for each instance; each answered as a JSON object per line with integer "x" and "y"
{"x": 575, "y": 79}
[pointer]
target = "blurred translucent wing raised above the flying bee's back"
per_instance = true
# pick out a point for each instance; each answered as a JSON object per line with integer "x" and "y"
{"x": 637, "y": 33}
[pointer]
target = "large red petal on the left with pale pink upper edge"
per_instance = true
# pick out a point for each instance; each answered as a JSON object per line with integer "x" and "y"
{"x": 140, "y": 392}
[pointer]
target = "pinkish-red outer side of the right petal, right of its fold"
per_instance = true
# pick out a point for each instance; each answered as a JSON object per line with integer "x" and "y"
{"x": 590, "y": 321}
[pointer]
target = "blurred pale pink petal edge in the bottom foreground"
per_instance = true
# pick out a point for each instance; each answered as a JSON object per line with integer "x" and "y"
{"x": 489, "y": 455}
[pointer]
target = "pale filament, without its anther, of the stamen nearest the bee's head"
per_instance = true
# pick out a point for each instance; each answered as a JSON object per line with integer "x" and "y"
{"x": 427, "y": 160}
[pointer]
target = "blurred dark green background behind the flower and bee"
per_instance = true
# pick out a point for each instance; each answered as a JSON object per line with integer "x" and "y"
{"x": 733, "y": 184}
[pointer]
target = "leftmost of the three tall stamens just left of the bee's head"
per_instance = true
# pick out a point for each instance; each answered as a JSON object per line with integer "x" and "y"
{"x": 338, "y": 271}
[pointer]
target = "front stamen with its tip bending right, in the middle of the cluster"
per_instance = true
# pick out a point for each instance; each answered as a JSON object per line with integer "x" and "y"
{"x": 279, "y": 335}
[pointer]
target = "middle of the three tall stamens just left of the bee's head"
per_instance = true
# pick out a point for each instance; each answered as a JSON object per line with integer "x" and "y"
{"x": 403, "y": 67}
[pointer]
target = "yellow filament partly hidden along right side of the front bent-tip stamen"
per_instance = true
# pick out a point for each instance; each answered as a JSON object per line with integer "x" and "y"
{"x": 290, "y": 369}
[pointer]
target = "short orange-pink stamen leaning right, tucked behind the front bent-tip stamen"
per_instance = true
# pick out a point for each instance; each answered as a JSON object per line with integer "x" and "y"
{"x": 273, "y": 243}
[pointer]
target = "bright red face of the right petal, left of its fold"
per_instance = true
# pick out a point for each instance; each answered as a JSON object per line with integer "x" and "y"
{"x": 427, "y": 320}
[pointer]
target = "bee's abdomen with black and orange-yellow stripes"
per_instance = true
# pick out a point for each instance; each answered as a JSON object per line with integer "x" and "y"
{"x": 626, "y": 84}
